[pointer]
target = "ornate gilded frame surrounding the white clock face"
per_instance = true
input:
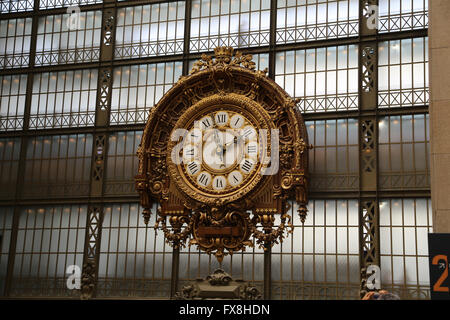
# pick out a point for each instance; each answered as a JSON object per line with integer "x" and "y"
{"x": 216, "y": 222}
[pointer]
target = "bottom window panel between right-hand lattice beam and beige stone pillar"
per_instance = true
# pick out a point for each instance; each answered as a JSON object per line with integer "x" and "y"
{"x": 404, "y": 228}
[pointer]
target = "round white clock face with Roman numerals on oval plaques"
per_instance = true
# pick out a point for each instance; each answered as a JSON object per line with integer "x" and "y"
{"x": 220, "y": 151}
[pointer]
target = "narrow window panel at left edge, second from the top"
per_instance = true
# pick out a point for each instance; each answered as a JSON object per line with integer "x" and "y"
{"x": 15, "y": 40}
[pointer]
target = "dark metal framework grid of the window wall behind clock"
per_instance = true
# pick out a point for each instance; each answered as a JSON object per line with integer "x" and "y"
{"x": 367, "y": 115}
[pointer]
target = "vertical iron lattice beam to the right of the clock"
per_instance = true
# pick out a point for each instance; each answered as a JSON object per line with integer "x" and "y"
{"x": 369, "y": 241}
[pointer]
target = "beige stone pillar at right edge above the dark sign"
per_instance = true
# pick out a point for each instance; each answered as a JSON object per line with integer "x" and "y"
{"x": 439, "y": 44}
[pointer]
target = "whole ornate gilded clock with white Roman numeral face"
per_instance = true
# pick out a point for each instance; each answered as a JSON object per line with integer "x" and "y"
{"x": 222, "y": 153}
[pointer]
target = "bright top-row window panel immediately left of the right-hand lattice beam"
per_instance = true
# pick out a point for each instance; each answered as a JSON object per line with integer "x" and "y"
{"x": 299, "y": 21}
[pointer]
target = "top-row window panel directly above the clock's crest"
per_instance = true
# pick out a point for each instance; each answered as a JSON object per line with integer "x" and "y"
{"x": 229, "y": 23}
